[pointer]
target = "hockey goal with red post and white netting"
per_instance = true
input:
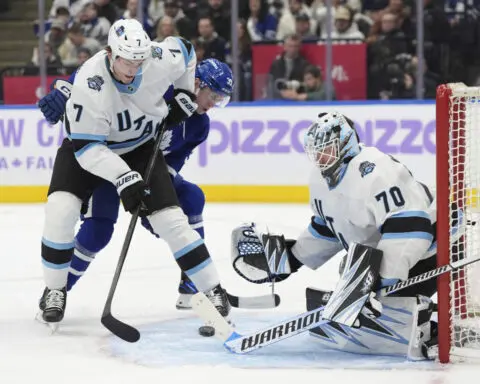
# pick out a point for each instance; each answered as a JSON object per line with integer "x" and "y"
{"x": 458, "y": 219}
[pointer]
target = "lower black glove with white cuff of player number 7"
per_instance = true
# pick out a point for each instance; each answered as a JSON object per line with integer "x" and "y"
{"x": 133, "y": 191}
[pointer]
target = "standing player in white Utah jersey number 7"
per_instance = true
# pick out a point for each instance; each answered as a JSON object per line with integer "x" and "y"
{"x": 115, "y": 110}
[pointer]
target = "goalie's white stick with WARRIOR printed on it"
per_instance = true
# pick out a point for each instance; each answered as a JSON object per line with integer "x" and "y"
{"x": 241, "y": 344}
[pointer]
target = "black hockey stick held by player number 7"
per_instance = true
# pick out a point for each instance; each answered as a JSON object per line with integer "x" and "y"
{"x": 117, "y": 327}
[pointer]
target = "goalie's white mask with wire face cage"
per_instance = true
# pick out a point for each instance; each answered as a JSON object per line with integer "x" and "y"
{"x": 330, "y": 143}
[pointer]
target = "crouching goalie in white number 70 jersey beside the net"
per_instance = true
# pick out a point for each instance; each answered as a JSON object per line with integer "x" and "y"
{"x": 369, "y": 205}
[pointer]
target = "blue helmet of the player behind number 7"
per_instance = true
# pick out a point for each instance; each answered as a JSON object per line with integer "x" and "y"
{"x": 217, "y": 77}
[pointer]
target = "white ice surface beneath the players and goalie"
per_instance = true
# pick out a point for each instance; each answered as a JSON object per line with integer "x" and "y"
{"x": 170, "y": 349}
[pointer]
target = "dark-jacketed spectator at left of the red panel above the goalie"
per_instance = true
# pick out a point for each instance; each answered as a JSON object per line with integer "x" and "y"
{"x": 288, "y": 66}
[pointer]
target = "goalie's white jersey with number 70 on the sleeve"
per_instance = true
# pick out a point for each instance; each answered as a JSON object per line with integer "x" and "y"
{"x": 377, "y": 203}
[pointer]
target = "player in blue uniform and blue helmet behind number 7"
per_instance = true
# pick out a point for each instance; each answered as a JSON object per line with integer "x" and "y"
{"x": 213, "y": 87}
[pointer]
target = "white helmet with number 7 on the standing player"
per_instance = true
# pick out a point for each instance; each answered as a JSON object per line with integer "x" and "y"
{"x": 128, "y": 40}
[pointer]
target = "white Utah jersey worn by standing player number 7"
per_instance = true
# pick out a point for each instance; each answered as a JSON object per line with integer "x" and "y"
{"x": 106, "y": 118}
